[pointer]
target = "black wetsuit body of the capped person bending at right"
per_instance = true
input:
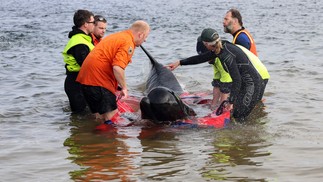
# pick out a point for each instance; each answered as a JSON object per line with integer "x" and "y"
{"x": 247, "y": 82}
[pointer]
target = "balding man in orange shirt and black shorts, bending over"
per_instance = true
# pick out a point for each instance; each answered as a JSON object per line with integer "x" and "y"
{"x": 104, "y": 69}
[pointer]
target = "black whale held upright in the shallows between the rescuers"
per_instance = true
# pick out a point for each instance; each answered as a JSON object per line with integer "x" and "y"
{"x": 162, "y": 103}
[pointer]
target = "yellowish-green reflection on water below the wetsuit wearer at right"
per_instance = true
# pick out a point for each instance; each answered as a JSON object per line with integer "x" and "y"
{"x": 239, "y": 146}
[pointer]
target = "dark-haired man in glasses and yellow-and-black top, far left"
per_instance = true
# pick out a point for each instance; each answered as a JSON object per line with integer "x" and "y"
{"x": 74, "y": 53}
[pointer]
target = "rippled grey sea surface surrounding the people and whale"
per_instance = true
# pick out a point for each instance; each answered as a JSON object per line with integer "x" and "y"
{"x": 41, "y": 141}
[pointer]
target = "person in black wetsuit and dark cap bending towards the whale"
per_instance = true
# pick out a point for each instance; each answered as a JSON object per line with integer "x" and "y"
{"x": 246, "y": 81}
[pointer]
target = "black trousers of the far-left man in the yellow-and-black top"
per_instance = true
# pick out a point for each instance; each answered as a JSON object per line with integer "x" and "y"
{"x": 74, "y": 93}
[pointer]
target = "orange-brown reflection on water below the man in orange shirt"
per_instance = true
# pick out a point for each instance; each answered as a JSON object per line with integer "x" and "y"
{"x": 103, "y": 156}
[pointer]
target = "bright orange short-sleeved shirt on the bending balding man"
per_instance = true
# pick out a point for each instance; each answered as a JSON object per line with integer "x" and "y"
{"x": 114, "y": 50}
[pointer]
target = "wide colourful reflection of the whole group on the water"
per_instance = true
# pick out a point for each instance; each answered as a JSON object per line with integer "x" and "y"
{"x": 163, "y": 153}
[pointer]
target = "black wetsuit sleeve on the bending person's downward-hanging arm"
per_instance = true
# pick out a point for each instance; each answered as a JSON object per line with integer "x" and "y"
{"x": 230, "y": 64}
